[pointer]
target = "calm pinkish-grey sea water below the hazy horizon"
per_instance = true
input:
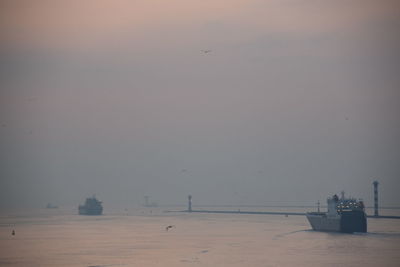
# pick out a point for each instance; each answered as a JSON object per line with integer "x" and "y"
{"x": 57, "y": 237}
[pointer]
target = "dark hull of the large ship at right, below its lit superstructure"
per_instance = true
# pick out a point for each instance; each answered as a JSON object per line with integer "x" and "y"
{"x": 346, "y": 222}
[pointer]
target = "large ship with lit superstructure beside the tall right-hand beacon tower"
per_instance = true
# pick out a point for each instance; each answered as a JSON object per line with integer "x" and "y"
{"x": 345, "y": 215}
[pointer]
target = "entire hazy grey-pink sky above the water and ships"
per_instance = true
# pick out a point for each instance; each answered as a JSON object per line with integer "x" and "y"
{"x": 297, "y": 100}
